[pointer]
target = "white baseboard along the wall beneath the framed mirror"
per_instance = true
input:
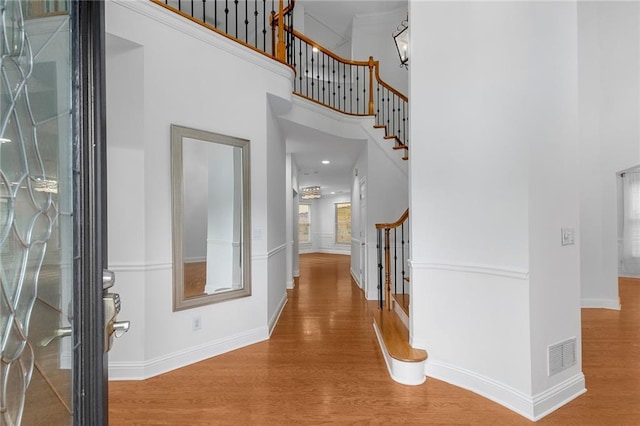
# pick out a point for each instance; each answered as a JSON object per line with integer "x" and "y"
{"x": 146, "y": 369}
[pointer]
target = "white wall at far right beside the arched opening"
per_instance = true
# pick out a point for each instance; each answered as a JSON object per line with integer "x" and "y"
{"x": 608, "y": 54}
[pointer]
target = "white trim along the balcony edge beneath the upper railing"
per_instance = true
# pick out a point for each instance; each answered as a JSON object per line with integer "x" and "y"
{"x": 178, "y": 23}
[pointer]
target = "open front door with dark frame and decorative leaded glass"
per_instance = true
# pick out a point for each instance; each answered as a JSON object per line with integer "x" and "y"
{"x": 52, "y": 204}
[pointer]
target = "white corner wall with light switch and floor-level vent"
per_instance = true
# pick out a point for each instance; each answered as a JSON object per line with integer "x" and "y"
{"x": 494, "y": 106}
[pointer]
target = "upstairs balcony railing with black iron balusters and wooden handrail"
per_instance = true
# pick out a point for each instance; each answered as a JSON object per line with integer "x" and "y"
{"x": 348, "y": 86}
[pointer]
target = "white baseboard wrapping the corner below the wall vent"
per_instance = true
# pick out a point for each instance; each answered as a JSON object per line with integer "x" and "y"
{"x": 532, "y": 407}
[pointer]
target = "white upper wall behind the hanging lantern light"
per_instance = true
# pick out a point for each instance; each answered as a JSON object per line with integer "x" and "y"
{"x": 372, "y": 36}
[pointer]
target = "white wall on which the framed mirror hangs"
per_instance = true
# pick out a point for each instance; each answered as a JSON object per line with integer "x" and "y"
{"x": 155, "y": 79}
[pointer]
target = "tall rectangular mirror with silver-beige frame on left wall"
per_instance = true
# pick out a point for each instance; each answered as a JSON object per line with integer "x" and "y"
{"x": 211, "y": 217}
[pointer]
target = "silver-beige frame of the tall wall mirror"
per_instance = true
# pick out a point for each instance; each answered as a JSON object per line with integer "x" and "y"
{"x": 178, "y": 133}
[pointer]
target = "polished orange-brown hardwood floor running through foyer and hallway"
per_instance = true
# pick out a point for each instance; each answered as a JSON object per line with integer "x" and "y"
{"x": 323, "y": 365}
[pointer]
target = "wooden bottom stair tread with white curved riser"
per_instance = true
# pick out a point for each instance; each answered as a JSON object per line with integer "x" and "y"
{"x": 395, "y": 335}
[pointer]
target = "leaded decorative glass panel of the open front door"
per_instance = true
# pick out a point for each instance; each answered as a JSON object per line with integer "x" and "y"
{"x": 36, "y": 237}
